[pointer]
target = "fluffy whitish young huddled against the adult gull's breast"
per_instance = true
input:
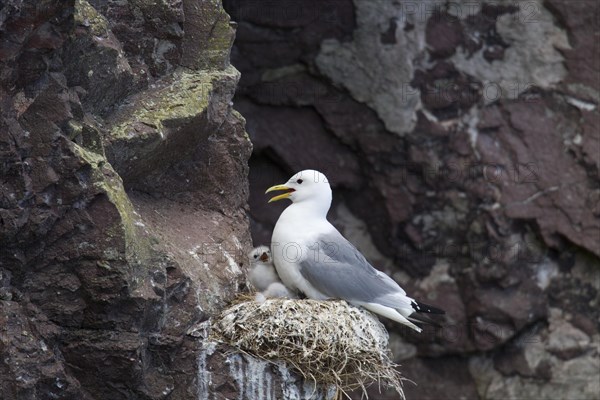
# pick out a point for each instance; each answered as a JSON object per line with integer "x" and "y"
{"x": 264, "y": 277}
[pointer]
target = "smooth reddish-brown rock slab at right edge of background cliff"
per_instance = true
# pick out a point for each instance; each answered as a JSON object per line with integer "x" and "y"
{"x": 547, "y": 183}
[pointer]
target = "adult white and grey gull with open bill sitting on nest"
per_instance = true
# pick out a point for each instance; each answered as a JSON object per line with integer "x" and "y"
{"x": 311, "y": 256}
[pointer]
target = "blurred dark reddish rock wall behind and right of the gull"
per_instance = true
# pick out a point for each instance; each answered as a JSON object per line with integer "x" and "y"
{"x": 463, "y": 143}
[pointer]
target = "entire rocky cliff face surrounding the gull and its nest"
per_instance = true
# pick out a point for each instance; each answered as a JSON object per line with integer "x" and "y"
{"x": 461, "y": 138}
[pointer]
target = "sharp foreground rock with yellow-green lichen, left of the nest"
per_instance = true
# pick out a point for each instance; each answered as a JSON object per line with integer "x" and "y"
{"x": 123, "y": 207}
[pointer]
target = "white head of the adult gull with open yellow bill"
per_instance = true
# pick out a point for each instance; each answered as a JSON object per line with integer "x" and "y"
{"x": 308, "y": 186}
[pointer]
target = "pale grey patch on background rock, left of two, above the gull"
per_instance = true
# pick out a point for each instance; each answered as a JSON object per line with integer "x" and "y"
{"x": 376, "y": 67}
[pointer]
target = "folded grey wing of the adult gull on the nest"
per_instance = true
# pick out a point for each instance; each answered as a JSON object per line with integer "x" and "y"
{"x": 337, "y": 269}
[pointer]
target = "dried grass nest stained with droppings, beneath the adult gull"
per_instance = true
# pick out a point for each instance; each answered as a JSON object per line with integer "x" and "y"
{"x": 329, "y": 342}
